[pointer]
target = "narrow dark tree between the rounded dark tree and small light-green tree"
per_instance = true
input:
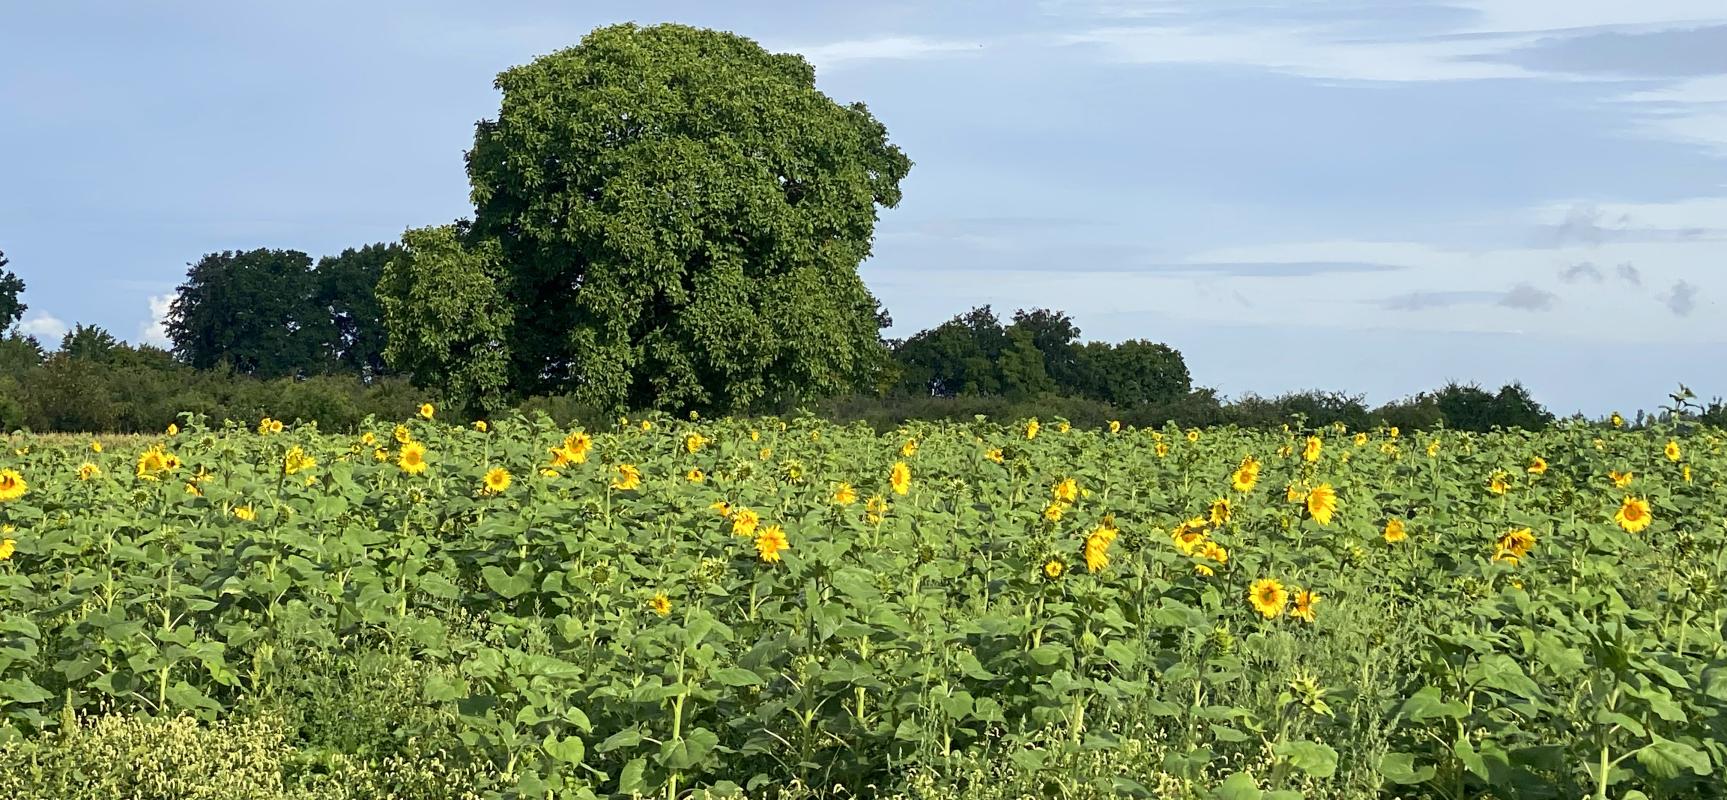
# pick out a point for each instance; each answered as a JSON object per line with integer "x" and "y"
{"x": 348, "y": 293}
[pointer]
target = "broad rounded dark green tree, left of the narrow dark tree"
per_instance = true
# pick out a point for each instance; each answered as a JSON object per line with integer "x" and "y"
{"x": 255, "y": 310}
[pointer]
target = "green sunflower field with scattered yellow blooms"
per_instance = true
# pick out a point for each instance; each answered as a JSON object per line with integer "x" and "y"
{"x": 678, "y": 607}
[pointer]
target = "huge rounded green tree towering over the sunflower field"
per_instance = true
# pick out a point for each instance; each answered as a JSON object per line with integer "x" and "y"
{"x": 680, "y": 219}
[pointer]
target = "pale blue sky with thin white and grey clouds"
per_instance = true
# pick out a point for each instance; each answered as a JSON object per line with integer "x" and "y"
{"x": 1374, "y": 198}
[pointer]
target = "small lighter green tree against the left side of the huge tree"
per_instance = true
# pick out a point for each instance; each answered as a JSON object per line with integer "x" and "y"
{"x": 448, "y": 317}
